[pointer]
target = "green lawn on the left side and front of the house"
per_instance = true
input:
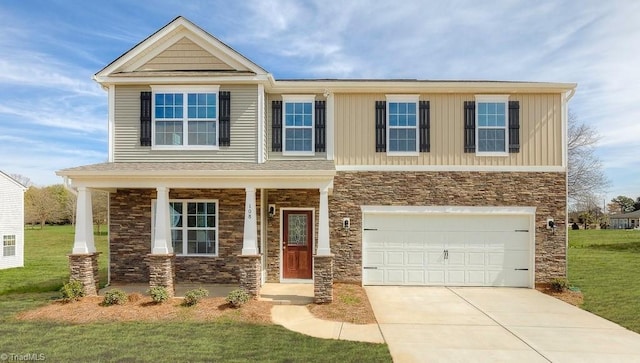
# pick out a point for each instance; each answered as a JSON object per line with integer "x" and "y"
{"x": 46, "y": 268}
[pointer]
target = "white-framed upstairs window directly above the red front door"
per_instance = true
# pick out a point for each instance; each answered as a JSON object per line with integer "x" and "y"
{"x": 298, "y": 127}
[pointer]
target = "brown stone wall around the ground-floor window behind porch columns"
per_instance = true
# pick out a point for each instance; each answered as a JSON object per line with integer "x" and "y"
{"x": 130, "y": 236}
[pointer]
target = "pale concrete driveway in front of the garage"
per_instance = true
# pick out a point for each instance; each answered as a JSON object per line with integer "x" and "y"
{"x": 468, "y": 324}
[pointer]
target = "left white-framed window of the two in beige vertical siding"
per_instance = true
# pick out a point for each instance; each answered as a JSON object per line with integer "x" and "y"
{"x": 402, "y": 125}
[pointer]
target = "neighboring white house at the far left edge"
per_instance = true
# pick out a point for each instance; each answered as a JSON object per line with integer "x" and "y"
{"x": 11, "y": 222}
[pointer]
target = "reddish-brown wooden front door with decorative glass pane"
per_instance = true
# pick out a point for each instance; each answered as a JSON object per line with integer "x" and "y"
{"x": 297, "y": 244}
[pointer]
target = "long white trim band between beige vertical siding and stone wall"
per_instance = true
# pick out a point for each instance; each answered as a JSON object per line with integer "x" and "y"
{"x": 506, "y": 168}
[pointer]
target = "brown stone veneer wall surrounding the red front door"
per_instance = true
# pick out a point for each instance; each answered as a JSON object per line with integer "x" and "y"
{"x": 287, "y": 198}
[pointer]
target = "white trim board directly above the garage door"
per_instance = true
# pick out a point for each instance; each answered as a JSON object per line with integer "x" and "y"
{"x": 452, "y": 210}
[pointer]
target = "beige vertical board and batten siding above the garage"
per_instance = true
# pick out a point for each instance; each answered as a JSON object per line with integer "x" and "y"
{"x": 540, "y": 132}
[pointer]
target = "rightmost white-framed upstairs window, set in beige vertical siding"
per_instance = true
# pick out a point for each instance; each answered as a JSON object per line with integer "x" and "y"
{"x": 492, "y": 123}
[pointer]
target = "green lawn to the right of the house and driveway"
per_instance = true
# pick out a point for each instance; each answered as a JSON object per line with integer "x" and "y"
{"x": 605, "y": 265}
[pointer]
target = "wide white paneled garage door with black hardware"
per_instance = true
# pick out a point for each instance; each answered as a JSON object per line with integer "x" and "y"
{"x": 447, "y": 250}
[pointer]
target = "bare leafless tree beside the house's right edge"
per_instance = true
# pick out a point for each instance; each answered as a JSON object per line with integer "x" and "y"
{"x": 586, "y": 177}
